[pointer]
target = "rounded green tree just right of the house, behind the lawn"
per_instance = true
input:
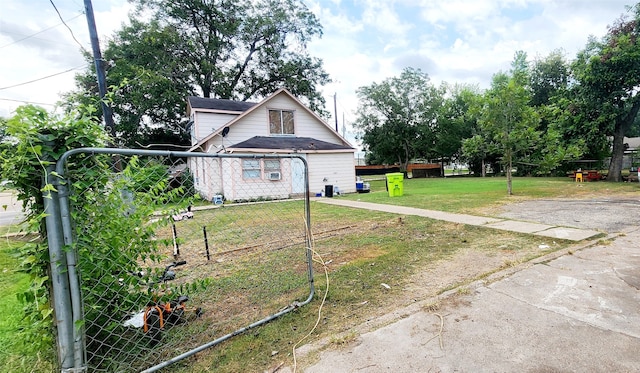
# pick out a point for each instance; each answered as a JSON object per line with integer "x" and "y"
{"x": 397, "y": 118}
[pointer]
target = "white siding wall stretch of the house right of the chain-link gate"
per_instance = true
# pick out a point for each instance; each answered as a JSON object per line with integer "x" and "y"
{"x": 336, "y": 169}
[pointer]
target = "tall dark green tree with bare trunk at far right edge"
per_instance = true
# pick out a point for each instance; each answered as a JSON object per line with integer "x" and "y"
{"x": 606, "y": 96}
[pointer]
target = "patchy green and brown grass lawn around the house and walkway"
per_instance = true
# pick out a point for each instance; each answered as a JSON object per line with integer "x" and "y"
{"x": 416, "y": 258}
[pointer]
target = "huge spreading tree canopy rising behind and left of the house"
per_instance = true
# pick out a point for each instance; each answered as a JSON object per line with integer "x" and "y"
{"x": 240, "y": 50}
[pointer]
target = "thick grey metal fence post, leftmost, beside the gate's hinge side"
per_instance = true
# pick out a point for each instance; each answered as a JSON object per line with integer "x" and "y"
{"x": 58, "y": 267}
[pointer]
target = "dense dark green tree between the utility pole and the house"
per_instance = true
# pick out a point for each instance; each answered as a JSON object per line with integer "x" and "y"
{"x": 148, "y": 85}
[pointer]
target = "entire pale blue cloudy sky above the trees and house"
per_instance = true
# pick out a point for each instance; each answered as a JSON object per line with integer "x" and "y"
{"x": 364, "y": 41}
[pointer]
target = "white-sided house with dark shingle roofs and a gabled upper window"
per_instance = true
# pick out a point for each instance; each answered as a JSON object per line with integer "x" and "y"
{"x": 280, "y": 125}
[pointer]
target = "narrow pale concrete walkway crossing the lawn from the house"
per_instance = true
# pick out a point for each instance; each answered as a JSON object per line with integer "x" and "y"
{"x": 538, "y": 229}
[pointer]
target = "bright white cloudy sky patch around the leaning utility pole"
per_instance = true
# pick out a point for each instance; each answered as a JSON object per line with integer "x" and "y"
{"x": 52, "y": 51}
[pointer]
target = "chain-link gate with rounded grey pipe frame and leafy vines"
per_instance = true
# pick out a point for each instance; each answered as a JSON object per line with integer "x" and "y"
{"x": 158, "y": 255}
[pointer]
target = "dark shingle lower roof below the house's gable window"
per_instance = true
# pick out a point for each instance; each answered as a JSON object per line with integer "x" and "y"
{"x": 288, "y": 142}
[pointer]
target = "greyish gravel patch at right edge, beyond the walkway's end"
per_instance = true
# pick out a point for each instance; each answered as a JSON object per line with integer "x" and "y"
{"x": 610, "y": 215}
